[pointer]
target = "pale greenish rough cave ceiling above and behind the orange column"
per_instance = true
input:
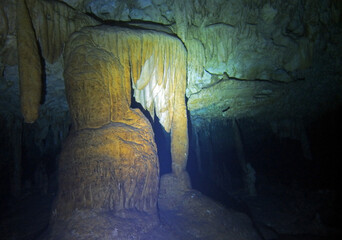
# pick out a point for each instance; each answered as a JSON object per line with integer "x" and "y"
{"x": 267, "y": 60}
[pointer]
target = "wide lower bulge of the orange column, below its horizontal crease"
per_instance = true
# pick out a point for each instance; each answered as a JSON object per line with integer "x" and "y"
{"x": 110, "y": 168}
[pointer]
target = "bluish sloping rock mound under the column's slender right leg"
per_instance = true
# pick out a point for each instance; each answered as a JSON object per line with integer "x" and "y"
{"x": 199, "y": 217}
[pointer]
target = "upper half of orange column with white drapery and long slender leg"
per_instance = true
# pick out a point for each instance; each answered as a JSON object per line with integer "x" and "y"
{"x": 155, "y": 63}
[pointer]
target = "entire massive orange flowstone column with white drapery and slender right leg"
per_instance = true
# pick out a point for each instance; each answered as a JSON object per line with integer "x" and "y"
{"x": 109, "y": 161}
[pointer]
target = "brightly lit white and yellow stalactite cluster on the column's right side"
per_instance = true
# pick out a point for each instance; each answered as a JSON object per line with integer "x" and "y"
{"x": 160, "y": 77}
